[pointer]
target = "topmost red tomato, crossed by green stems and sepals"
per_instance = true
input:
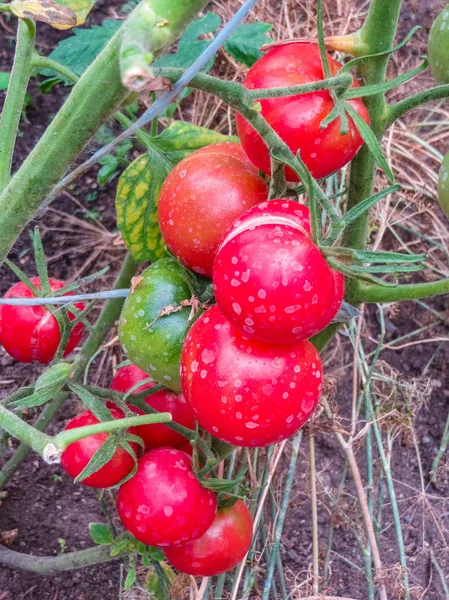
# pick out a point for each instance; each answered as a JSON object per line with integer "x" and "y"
{"x": 297, "y": 119}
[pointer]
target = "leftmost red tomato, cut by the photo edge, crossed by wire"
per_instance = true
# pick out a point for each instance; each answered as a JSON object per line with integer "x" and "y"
{"x": 31, "y": 333}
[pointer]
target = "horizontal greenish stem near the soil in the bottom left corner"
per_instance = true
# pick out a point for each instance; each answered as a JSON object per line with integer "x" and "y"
{"x": 52, "y": 565}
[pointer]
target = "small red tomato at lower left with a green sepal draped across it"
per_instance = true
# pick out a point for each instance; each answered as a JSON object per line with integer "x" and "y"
{"x": 78, "y": 454}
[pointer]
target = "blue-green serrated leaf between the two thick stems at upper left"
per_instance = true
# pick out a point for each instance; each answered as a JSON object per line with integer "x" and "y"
{"x": 79, "y": 50}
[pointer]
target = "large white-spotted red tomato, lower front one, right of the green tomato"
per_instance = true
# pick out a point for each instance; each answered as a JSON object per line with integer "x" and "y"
{"x": 243, "y": 391}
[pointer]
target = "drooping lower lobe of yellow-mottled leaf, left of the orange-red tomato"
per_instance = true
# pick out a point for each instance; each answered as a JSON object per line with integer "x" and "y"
{"x": 136, "y": 202}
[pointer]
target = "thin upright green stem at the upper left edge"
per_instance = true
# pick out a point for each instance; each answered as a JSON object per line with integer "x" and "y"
{"x": 15, "y": 97}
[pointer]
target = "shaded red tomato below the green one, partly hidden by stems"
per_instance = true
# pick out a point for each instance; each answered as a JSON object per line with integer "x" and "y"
{"x": 157, "y": 435}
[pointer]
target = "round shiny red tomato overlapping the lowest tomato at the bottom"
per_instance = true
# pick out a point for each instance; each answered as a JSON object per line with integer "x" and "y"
{"x": 164, "y": 504}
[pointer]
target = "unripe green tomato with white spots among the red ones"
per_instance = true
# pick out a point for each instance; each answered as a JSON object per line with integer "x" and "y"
{"x": 152, "y": 339}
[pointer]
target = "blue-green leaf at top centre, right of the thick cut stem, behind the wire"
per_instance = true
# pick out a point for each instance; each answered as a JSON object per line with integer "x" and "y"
{"x": 190, "y": 47}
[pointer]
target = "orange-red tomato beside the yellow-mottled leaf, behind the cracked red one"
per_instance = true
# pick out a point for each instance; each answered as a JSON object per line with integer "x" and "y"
{"x": 202, "y": 197}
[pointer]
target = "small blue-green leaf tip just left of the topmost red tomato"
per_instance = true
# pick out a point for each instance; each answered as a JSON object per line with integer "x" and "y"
{"x": 244, "y": 44}
